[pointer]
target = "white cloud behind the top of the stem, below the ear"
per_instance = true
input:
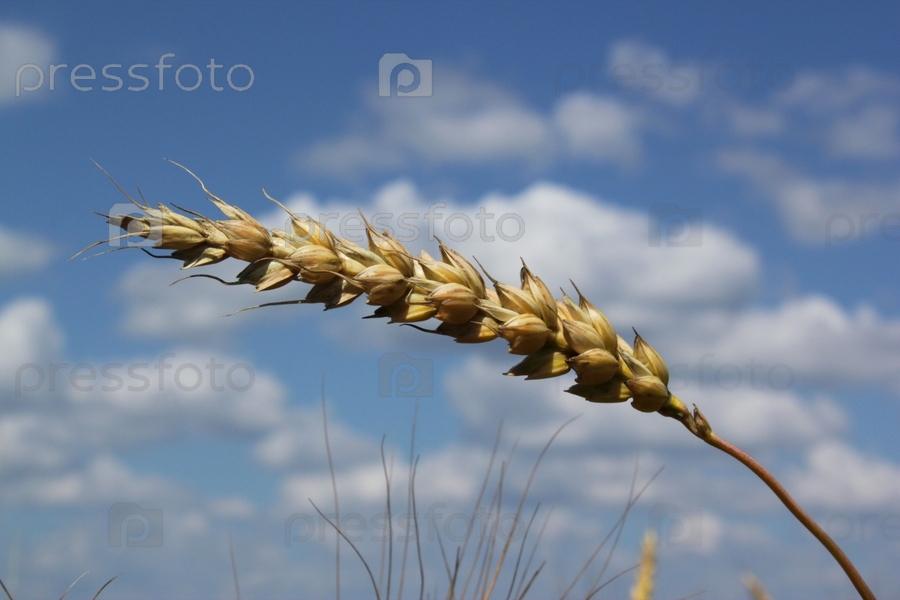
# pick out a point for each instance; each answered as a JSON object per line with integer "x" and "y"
{"x": 535, "y": 409}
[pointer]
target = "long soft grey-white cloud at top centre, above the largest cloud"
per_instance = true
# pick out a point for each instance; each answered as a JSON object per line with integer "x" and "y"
{"x": 473, "y": 122}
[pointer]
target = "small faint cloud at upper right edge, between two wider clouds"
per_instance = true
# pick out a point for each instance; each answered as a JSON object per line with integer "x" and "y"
{"x": 870, "y": 134}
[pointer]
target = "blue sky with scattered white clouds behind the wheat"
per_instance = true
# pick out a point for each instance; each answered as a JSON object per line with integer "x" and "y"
{"x": 721, "y": 176}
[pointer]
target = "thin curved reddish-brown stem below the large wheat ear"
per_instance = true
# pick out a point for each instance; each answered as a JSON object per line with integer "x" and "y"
{"x": 699, "y": 426}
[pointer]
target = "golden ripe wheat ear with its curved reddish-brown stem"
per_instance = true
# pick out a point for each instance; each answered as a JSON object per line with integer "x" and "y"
{"x": 554, "y": 335}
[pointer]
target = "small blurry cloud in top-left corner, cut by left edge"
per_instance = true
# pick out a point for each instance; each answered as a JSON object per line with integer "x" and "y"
{"x": 21, "y": 45}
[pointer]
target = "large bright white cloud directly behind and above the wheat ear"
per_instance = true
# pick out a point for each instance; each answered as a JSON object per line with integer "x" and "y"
{"x": 613, "y": 253}
